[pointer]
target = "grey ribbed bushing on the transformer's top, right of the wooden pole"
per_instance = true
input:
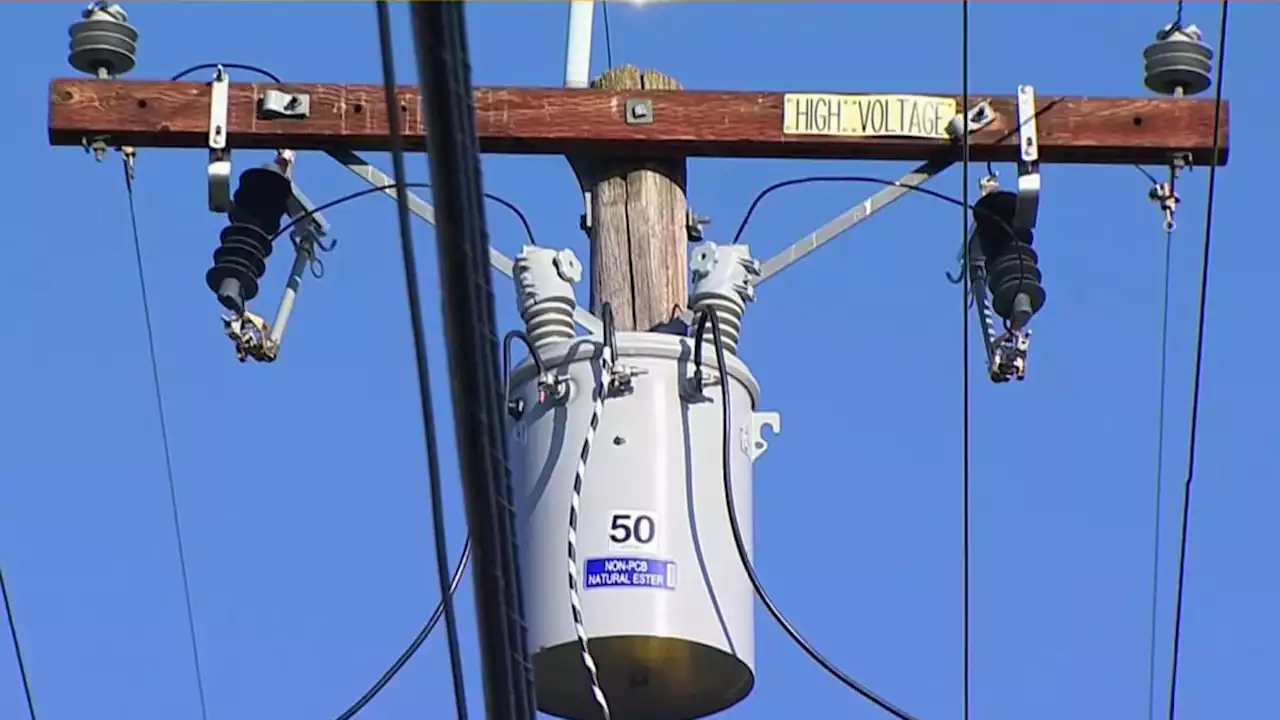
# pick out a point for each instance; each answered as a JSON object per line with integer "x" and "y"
{"x": 724, "y": 284}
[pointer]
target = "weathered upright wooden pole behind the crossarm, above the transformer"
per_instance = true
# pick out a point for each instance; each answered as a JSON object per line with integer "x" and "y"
{"x": 637, "y": 218}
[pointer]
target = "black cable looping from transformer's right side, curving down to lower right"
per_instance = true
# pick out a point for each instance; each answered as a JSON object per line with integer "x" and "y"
{"x": 726, "y": 461}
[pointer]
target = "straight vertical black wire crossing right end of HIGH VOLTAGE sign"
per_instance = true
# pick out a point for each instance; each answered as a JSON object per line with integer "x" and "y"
{"x": 964, "y": 359}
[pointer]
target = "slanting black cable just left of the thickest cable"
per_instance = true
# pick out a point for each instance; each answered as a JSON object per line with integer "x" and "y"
{"x": 420, "y": 361}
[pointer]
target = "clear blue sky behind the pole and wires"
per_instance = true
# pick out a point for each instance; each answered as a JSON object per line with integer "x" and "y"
{"x": 303, "y": 485}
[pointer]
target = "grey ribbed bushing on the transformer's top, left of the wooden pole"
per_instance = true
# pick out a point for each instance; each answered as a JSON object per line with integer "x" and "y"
{"x": 545, "y": 294}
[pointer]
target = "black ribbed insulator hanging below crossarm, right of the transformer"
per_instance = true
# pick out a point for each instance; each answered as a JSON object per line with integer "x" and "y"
{"x": 1013, "y": 268}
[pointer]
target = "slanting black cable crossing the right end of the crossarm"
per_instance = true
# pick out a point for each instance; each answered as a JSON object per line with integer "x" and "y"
{"x": 1200, "y": 359}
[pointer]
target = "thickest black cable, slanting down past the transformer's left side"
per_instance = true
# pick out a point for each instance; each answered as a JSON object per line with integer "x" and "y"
{"x": 470, "y": 329}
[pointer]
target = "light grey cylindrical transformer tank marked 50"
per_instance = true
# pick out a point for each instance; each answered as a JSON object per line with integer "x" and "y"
{"x": 666, "y": 603}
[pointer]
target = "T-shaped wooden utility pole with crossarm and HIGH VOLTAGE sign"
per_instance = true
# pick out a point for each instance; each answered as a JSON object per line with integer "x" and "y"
{"x": 629, "y": 136}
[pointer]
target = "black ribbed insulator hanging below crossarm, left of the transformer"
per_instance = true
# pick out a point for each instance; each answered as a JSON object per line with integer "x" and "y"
{"x": 245, "y": 245}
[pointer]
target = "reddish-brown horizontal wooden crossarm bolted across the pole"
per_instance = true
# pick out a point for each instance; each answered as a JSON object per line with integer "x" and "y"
{"x": 591, "y": 122}
